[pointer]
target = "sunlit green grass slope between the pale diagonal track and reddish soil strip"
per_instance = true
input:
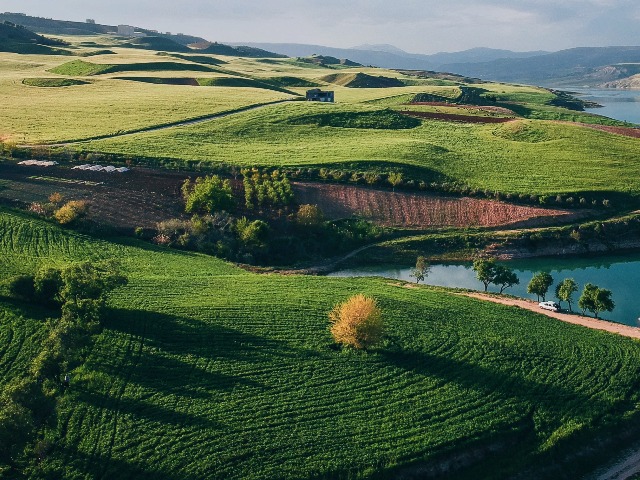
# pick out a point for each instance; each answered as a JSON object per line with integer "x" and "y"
{"x": 525, "y": 156}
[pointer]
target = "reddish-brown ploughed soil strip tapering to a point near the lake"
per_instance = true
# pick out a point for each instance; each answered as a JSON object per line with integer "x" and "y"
{"x": 404, "y": 209}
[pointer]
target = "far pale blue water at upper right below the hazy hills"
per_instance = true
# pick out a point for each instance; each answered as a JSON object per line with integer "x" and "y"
{"x": 617, "y": 103}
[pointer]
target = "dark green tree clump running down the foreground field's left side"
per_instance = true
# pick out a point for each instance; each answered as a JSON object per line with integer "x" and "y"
{"x": 26, "y": 403}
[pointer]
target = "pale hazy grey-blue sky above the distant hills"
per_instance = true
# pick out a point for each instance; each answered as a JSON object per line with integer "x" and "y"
{"x": 420, "y": 26}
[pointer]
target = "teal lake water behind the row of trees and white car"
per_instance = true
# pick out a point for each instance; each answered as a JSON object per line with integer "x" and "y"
{"x": 619, "y": 273}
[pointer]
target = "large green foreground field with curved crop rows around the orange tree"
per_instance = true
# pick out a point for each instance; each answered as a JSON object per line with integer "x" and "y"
{"x": 185, "y": 381}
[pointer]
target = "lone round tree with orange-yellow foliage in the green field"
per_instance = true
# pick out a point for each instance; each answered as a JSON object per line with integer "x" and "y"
{"x": 357, "y": 322}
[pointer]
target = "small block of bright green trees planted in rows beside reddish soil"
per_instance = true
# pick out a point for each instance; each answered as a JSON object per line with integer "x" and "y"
{"x": 266, "y": 189}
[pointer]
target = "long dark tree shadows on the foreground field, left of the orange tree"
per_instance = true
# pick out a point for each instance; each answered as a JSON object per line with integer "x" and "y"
{"x": 162, "y": 363}
